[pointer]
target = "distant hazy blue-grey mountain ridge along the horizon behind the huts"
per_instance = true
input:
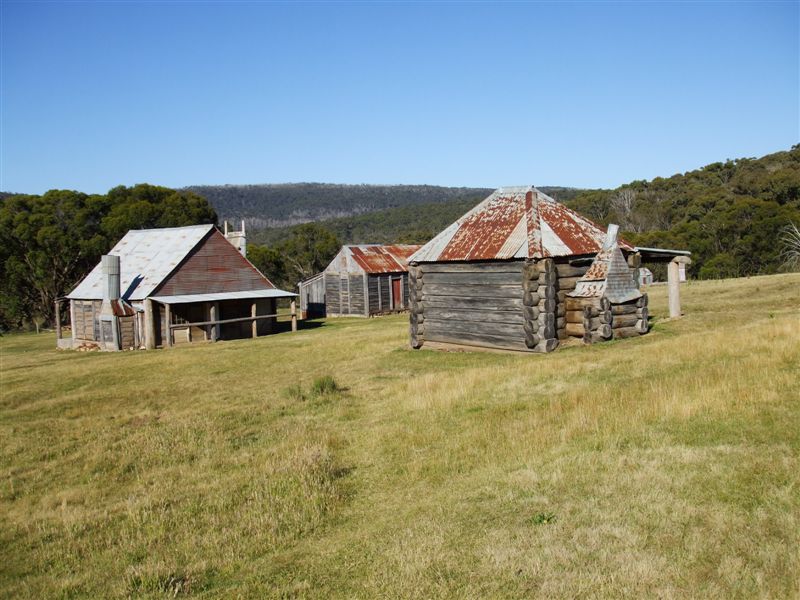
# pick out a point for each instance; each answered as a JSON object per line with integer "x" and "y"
{"x": 281, "y": 205}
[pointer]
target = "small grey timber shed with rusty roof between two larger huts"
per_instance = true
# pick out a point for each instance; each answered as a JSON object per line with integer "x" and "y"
{"x": 361, "y": 281}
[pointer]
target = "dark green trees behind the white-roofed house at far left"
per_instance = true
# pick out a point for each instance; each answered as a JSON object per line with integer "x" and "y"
{"x": 49, "y": 242}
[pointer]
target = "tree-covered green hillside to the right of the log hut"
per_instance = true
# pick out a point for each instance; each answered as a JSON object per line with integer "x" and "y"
{"x": 730, "y": 214}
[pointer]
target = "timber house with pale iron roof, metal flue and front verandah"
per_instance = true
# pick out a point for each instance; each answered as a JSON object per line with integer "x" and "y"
{"x": 161, "y": 287}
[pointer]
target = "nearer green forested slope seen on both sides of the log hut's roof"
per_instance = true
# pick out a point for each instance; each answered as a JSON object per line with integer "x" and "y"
{"x": 730, "y": 214}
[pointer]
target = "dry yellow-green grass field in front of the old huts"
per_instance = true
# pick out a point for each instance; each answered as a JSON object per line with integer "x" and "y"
{"x": 666, "y": 466}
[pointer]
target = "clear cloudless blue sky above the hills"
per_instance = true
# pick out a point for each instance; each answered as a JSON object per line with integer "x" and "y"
{"x": 587, "y": 94}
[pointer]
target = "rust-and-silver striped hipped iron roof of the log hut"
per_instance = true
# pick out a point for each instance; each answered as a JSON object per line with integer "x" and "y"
{"x": 515, "y": 222}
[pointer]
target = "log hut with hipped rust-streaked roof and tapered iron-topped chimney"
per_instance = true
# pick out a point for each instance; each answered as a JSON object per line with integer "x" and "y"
{"x": 521, "y": 271}
